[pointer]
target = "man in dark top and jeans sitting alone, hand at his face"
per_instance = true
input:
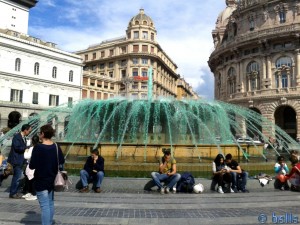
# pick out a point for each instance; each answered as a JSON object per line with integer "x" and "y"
{"x": 93, "y": 171}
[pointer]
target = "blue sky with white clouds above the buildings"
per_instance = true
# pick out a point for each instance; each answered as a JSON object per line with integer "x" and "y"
{"x": 183, "y": 29}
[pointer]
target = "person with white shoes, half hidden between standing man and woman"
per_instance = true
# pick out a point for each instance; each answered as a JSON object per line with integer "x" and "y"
{"x": 29, "y": 178}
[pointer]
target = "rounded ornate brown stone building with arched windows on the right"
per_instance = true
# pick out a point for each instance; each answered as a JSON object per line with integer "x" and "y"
{"x": 256, "y": 60}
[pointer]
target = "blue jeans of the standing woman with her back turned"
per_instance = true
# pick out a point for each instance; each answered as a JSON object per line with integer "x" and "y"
{"x": 46, "y": 201}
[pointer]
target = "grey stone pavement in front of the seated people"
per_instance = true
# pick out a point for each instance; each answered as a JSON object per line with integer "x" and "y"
{"x": 123, "y": 201}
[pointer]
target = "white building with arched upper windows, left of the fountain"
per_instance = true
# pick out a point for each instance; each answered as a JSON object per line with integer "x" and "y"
{"x": 34, "y": 75}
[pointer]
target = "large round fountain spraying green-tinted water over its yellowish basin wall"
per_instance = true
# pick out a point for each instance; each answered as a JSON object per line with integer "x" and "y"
{"x": 191, "y": 128}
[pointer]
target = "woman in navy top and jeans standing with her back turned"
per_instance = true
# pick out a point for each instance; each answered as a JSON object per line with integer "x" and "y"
{"x": 45, "y": 159}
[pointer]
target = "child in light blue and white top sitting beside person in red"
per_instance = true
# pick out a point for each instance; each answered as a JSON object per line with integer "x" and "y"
{"x": 281, "y": 170}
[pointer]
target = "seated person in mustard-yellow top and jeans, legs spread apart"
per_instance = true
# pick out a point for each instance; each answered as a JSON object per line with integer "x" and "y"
{"x": 167, "y": 173}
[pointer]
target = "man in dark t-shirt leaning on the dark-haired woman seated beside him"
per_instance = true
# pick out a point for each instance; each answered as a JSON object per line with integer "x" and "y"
{"x": 236, "y": 174}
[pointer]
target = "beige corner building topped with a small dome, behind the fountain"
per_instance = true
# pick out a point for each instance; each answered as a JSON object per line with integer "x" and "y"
{"x": 118, "y": 67}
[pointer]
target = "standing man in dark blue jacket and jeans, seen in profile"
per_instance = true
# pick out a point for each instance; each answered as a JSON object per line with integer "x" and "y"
{"x": 16, "y": 159}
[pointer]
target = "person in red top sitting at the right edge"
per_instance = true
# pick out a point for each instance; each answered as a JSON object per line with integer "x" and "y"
{"x": 294, "y": 175}
